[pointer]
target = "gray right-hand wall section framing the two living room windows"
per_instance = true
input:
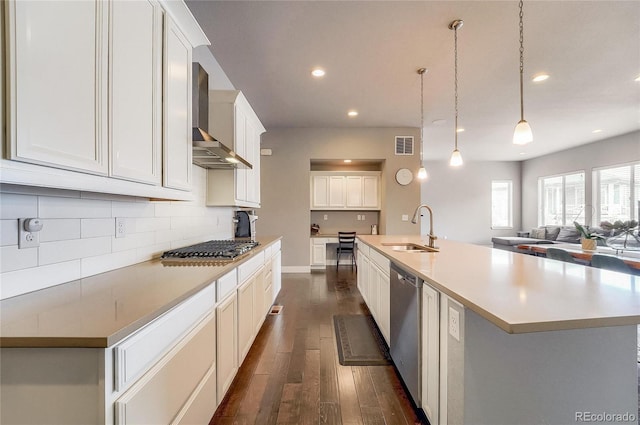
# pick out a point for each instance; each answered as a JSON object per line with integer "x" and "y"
{"x": 607, "y": 152}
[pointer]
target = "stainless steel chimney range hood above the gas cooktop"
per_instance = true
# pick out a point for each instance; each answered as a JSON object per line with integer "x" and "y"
{"x": 207, "y": 151}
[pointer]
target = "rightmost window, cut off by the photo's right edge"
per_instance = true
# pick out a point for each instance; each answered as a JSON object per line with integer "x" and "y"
{"x": 616, "y": 192}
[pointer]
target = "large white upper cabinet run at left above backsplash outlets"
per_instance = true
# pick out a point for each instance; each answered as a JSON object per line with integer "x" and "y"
{"x": 99, "y": 97}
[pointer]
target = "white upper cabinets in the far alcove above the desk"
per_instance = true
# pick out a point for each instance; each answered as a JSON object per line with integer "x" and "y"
{"x": 345, "y": 190}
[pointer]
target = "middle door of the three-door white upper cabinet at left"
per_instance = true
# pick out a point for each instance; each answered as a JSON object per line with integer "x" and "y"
{"x": 135, "y": 112}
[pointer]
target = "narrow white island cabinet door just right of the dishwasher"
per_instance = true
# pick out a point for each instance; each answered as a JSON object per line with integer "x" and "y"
{"x": 430, "y": 352}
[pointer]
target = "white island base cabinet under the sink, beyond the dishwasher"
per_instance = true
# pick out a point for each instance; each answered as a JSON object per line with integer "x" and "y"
{"x": 374, "y": 285}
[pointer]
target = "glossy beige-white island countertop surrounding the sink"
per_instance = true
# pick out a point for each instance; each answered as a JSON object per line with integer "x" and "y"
{"x": 517, "y": 292}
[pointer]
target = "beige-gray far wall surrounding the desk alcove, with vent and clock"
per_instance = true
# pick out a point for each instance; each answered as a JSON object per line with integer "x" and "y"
{"x": 285, "y": 181}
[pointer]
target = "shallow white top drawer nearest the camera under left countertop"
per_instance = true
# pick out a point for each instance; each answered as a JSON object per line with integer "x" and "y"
{"x": 139, "y": 352}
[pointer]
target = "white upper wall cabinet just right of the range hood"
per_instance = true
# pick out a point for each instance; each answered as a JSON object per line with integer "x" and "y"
{"x": 233, "y": 122}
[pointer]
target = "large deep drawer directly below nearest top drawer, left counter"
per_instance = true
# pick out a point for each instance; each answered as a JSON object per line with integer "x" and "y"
{"x": 161, "y": 394}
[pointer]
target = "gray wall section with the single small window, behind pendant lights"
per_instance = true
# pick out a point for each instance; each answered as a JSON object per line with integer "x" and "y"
{"x": 461, "y": 199}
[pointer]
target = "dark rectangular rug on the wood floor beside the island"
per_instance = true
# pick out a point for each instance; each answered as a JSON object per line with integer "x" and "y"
{"x": 359, "y": 341}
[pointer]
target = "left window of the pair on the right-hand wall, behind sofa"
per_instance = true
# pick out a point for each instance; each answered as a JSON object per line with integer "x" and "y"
{"x": 561, "y": 199}
